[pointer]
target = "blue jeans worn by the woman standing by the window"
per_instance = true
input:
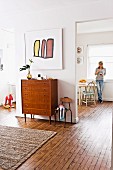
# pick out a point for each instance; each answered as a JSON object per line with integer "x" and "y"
{"x": 100, "y": 86}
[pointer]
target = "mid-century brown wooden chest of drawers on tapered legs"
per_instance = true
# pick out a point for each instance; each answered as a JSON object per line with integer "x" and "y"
{"x": 39, "y": 97}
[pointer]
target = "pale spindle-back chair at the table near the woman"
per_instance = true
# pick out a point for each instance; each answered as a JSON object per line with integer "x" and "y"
{"x": 89, "y": 95}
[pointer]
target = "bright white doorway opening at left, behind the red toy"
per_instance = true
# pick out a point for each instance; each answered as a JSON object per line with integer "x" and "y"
{"x": 7, "y": 65}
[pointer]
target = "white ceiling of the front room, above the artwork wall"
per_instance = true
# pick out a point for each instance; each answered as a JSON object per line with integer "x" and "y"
{"x": 19, "y": 6}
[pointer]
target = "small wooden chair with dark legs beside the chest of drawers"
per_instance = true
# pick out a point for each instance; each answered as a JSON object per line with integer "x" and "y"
{"x": 63, "y": 101}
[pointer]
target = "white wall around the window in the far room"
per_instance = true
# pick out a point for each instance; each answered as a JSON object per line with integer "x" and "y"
{"x": 88, "y": 39}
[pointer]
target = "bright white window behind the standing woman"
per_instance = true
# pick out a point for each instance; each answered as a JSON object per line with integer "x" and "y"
{"x": 98, "y": 53}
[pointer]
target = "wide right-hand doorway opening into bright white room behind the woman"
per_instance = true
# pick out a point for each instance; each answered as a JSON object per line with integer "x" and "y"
{"x": 94, "y": 43}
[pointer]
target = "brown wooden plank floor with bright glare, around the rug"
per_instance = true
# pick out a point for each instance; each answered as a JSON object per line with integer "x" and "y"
{"x": 82, "y": 146}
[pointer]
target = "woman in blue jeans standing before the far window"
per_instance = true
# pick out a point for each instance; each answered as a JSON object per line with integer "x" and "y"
{"x": 100, "y": 73}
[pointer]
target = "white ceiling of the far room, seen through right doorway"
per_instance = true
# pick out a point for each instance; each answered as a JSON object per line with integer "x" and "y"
{"x": 95, "y": 26}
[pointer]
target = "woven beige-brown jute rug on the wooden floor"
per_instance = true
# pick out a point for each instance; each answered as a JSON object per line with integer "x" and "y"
{"x": 18, "y": 144}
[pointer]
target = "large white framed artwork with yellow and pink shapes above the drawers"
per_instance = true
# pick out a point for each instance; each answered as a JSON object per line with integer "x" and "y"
{"x": 44, "y": 47}
